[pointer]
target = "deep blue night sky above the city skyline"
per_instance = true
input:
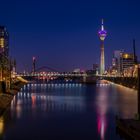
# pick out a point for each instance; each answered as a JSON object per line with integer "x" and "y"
{"x": 63, "y": 33}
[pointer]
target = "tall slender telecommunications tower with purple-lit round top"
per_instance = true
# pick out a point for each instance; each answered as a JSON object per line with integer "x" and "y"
{"x": 102, "y": 35}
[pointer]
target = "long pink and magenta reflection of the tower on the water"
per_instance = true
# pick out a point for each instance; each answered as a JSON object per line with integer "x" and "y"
{"x": 102, "y": 107}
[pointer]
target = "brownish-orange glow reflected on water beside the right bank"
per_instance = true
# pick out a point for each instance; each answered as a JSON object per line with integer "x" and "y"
{"x": 125, "y": 102}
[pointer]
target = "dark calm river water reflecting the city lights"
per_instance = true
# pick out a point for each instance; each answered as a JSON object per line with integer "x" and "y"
{"x": 67, "y": 111}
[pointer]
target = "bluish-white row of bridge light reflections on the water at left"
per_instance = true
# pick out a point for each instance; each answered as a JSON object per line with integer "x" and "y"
{"x": 38, "y": 97}
